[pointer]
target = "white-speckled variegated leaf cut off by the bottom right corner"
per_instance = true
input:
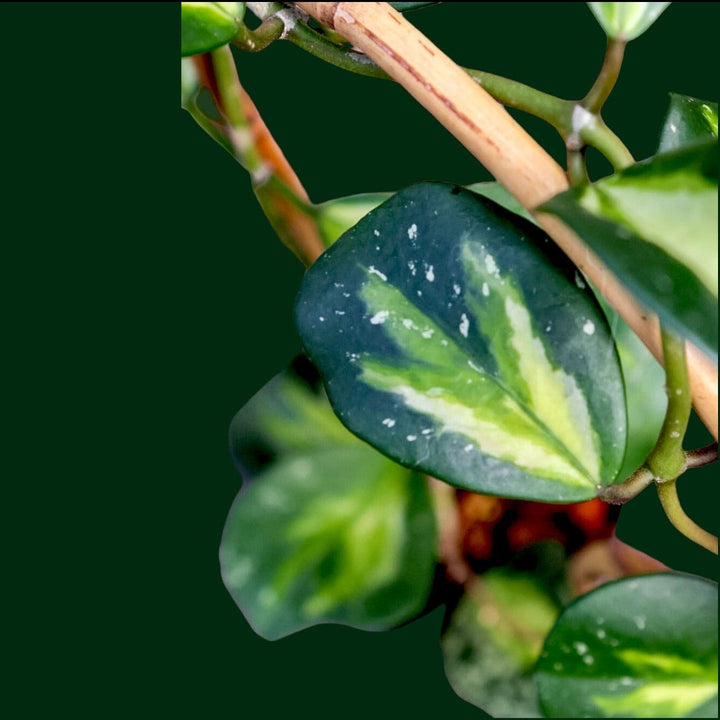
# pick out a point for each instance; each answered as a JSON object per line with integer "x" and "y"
{"x": 641, "y": 647}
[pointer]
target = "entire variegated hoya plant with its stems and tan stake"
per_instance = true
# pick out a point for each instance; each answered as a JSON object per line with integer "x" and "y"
{"x": 478, "y": 396}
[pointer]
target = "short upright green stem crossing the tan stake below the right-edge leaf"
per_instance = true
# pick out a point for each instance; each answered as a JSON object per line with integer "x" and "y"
{"x": 667, "y": 459}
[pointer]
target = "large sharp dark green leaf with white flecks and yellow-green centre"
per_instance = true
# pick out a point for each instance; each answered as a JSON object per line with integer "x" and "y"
{"x": 453, "y": 337}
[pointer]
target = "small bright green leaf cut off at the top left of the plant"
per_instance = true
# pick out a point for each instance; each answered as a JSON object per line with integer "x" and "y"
{"x": 206, "y": 26}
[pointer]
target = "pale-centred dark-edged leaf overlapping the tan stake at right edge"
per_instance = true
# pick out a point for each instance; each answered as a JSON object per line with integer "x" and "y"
{"x": 655, "y": 226}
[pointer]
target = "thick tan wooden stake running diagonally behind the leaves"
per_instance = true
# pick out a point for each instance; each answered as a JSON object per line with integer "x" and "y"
{"x": 487, "y": 130}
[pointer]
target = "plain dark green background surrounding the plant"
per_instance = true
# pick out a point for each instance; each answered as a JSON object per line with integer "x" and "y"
{"x": 147, "y": 300}
